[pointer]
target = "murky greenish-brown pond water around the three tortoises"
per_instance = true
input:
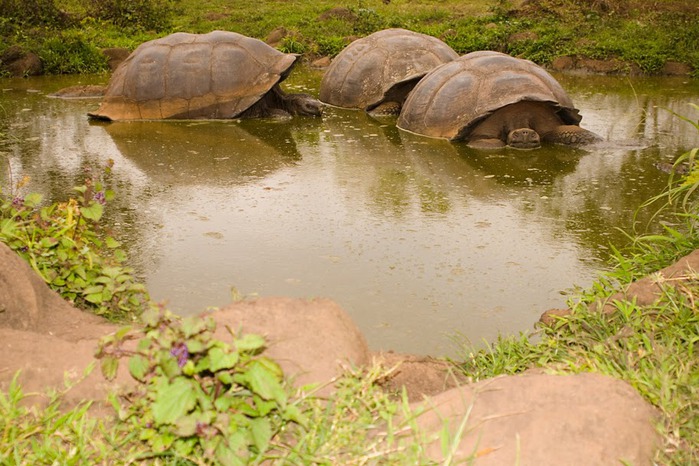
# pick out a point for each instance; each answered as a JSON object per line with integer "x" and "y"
{"x": 419, "y": 240}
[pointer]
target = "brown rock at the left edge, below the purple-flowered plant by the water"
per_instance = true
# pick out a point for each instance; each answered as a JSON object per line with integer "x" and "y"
{"x": 46, "y": 338}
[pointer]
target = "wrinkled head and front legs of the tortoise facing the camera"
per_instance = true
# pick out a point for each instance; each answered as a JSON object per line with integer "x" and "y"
{"x": 525, "y": 125}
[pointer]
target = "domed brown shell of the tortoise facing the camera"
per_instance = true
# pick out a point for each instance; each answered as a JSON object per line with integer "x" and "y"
{"x": 455, "y": 97}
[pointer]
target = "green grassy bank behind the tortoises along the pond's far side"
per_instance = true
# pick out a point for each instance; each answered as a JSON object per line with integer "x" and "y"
{"x": 67, "y": 34}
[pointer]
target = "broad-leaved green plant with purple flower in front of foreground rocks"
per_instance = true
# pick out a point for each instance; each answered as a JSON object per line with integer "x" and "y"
{"x": 198, "y": 397}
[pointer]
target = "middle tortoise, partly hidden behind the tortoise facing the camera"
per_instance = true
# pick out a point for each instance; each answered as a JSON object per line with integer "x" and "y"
{"x": 376, "y": 73}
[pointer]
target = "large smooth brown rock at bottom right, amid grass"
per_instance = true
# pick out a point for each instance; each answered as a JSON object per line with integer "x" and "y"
{"x": 584, "y": 419}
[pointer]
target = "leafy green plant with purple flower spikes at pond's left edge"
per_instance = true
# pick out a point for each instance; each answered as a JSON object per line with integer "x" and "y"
{"x": 65, "y": 244}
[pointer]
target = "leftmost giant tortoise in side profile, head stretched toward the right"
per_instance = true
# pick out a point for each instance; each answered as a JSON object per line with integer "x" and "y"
{"x": 214, "y": 76}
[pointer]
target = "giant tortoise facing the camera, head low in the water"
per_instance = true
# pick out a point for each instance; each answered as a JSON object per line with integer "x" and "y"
{"x": 492, "y": 100}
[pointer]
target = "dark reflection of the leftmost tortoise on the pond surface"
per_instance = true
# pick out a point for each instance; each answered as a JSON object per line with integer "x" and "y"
{"x": 208, "y": 152}
